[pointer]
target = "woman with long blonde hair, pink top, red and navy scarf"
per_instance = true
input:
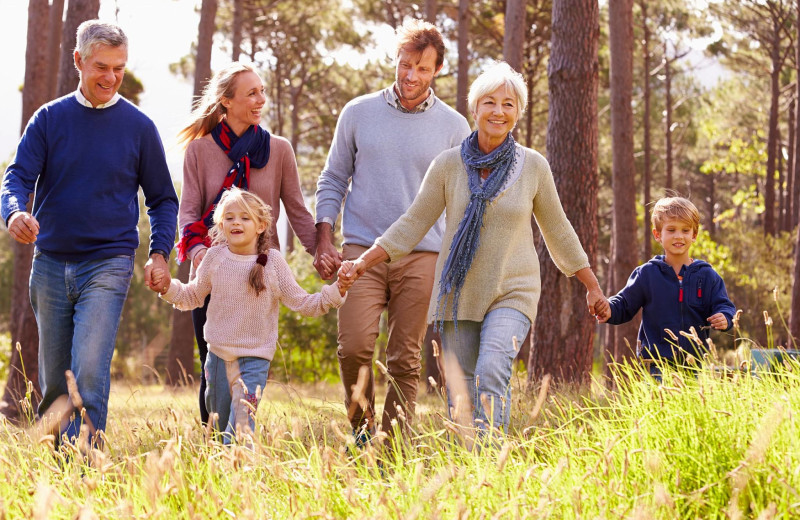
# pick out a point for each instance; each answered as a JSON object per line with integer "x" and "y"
{"x": 226, "y": 147}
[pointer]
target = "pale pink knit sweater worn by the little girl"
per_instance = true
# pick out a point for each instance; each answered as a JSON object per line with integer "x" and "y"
{"x": 241, "y": 324}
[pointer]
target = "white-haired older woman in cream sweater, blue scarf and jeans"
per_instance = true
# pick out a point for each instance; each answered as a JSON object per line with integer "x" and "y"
{"x": 488, "y": 271}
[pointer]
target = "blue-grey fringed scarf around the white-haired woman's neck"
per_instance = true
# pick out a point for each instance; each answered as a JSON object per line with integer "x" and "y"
{"x": 500, "y": 162}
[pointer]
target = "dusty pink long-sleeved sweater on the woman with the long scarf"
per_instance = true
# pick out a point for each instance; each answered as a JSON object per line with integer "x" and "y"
{"x": 205, "y": 166}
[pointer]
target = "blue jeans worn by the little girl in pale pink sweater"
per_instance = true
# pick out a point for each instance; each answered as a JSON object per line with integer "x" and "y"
{"x": 233, "y": 391}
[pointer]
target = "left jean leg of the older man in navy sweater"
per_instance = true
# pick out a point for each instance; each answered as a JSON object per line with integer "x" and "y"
{"x": 53, "y": 310}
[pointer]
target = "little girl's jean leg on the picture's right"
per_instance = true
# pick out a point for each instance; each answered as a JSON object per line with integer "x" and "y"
{"x": 247, "y": 377}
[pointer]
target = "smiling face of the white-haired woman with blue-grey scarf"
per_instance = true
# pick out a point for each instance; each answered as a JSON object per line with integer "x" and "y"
{"x": 495, "y": 116}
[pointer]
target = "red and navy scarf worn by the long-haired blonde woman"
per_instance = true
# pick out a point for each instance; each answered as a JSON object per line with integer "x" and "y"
{"x": 249, "y": 149}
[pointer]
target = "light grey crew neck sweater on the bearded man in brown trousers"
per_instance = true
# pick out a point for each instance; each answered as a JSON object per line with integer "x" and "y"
{"x": 376, "y": 164}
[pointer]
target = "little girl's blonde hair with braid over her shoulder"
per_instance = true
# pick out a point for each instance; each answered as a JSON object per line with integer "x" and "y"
{"x": 261, "y": 213}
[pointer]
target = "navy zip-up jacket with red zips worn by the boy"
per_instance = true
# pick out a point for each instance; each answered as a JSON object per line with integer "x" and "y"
{"x": 668, "y": 302}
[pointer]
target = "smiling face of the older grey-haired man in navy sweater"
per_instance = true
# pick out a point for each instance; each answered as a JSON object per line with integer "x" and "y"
{"x": 101, "y": 72}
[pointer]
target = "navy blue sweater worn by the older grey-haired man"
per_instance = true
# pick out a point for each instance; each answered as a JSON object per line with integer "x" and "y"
{"x": 86, "y": 166}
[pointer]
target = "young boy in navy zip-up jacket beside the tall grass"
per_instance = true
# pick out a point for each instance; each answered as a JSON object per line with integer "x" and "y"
{"x": 673, "y": 290}
